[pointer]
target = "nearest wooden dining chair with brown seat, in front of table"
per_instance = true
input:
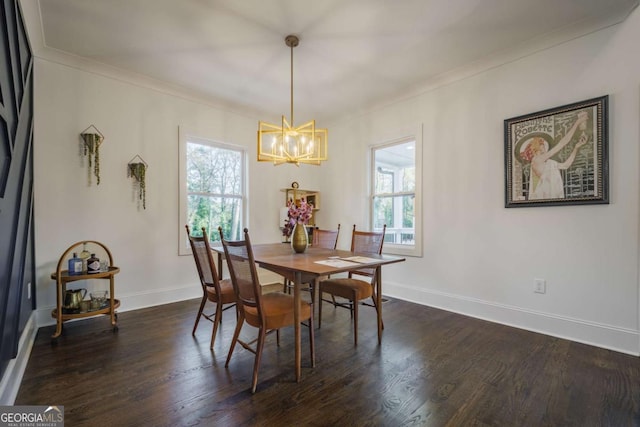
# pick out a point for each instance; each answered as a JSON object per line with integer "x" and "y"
{"x": 268, "y": 312}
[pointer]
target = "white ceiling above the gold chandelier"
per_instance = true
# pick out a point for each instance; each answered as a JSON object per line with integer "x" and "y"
{"x": 353, "y": 54}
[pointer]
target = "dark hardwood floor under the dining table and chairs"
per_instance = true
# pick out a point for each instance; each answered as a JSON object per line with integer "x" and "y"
{"x": 434, "y": 368}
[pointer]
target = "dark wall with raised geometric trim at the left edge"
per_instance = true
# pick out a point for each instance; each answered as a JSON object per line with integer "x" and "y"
{"x": 16, "y": 180}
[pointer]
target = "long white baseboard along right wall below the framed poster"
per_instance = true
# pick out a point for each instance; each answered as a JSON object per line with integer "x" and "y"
{"x": 600, "y": 335}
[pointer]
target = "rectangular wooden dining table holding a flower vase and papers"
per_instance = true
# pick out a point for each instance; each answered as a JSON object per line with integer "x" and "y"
{"x": 308, "y": 266}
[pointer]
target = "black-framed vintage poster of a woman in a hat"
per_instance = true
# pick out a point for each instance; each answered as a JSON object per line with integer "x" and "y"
{"x": 558, "y": 156}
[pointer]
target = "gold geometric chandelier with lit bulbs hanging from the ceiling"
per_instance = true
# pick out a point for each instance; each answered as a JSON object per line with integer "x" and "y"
{"x": 287, "y": 143}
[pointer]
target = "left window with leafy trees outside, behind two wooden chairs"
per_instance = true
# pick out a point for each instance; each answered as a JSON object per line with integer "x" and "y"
{"x": 212, "y": 189}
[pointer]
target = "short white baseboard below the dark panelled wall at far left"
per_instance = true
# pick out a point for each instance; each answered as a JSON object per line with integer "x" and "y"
{"x": 10, "y": 384}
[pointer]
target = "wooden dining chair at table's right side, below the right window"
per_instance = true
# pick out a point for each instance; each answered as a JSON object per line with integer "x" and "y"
{"x": 354, "y": 289}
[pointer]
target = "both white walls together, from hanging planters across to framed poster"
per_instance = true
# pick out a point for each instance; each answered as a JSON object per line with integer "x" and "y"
{"x": 479, "y": 258}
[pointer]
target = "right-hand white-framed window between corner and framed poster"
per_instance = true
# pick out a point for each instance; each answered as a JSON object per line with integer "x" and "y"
{"x": 395, "y": 198}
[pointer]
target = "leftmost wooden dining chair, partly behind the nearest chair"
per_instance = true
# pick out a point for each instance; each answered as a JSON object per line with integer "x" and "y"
{"x": 219, "y": 292}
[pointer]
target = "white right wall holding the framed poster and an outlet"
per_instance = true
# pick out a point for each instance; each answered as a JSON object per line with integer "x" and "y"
{"x": 481, "y": 258}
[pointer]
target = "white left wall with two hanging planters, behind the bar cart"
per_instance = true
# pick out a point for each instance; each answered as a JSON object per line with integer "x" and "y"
{"x": 135, "y": 121}
